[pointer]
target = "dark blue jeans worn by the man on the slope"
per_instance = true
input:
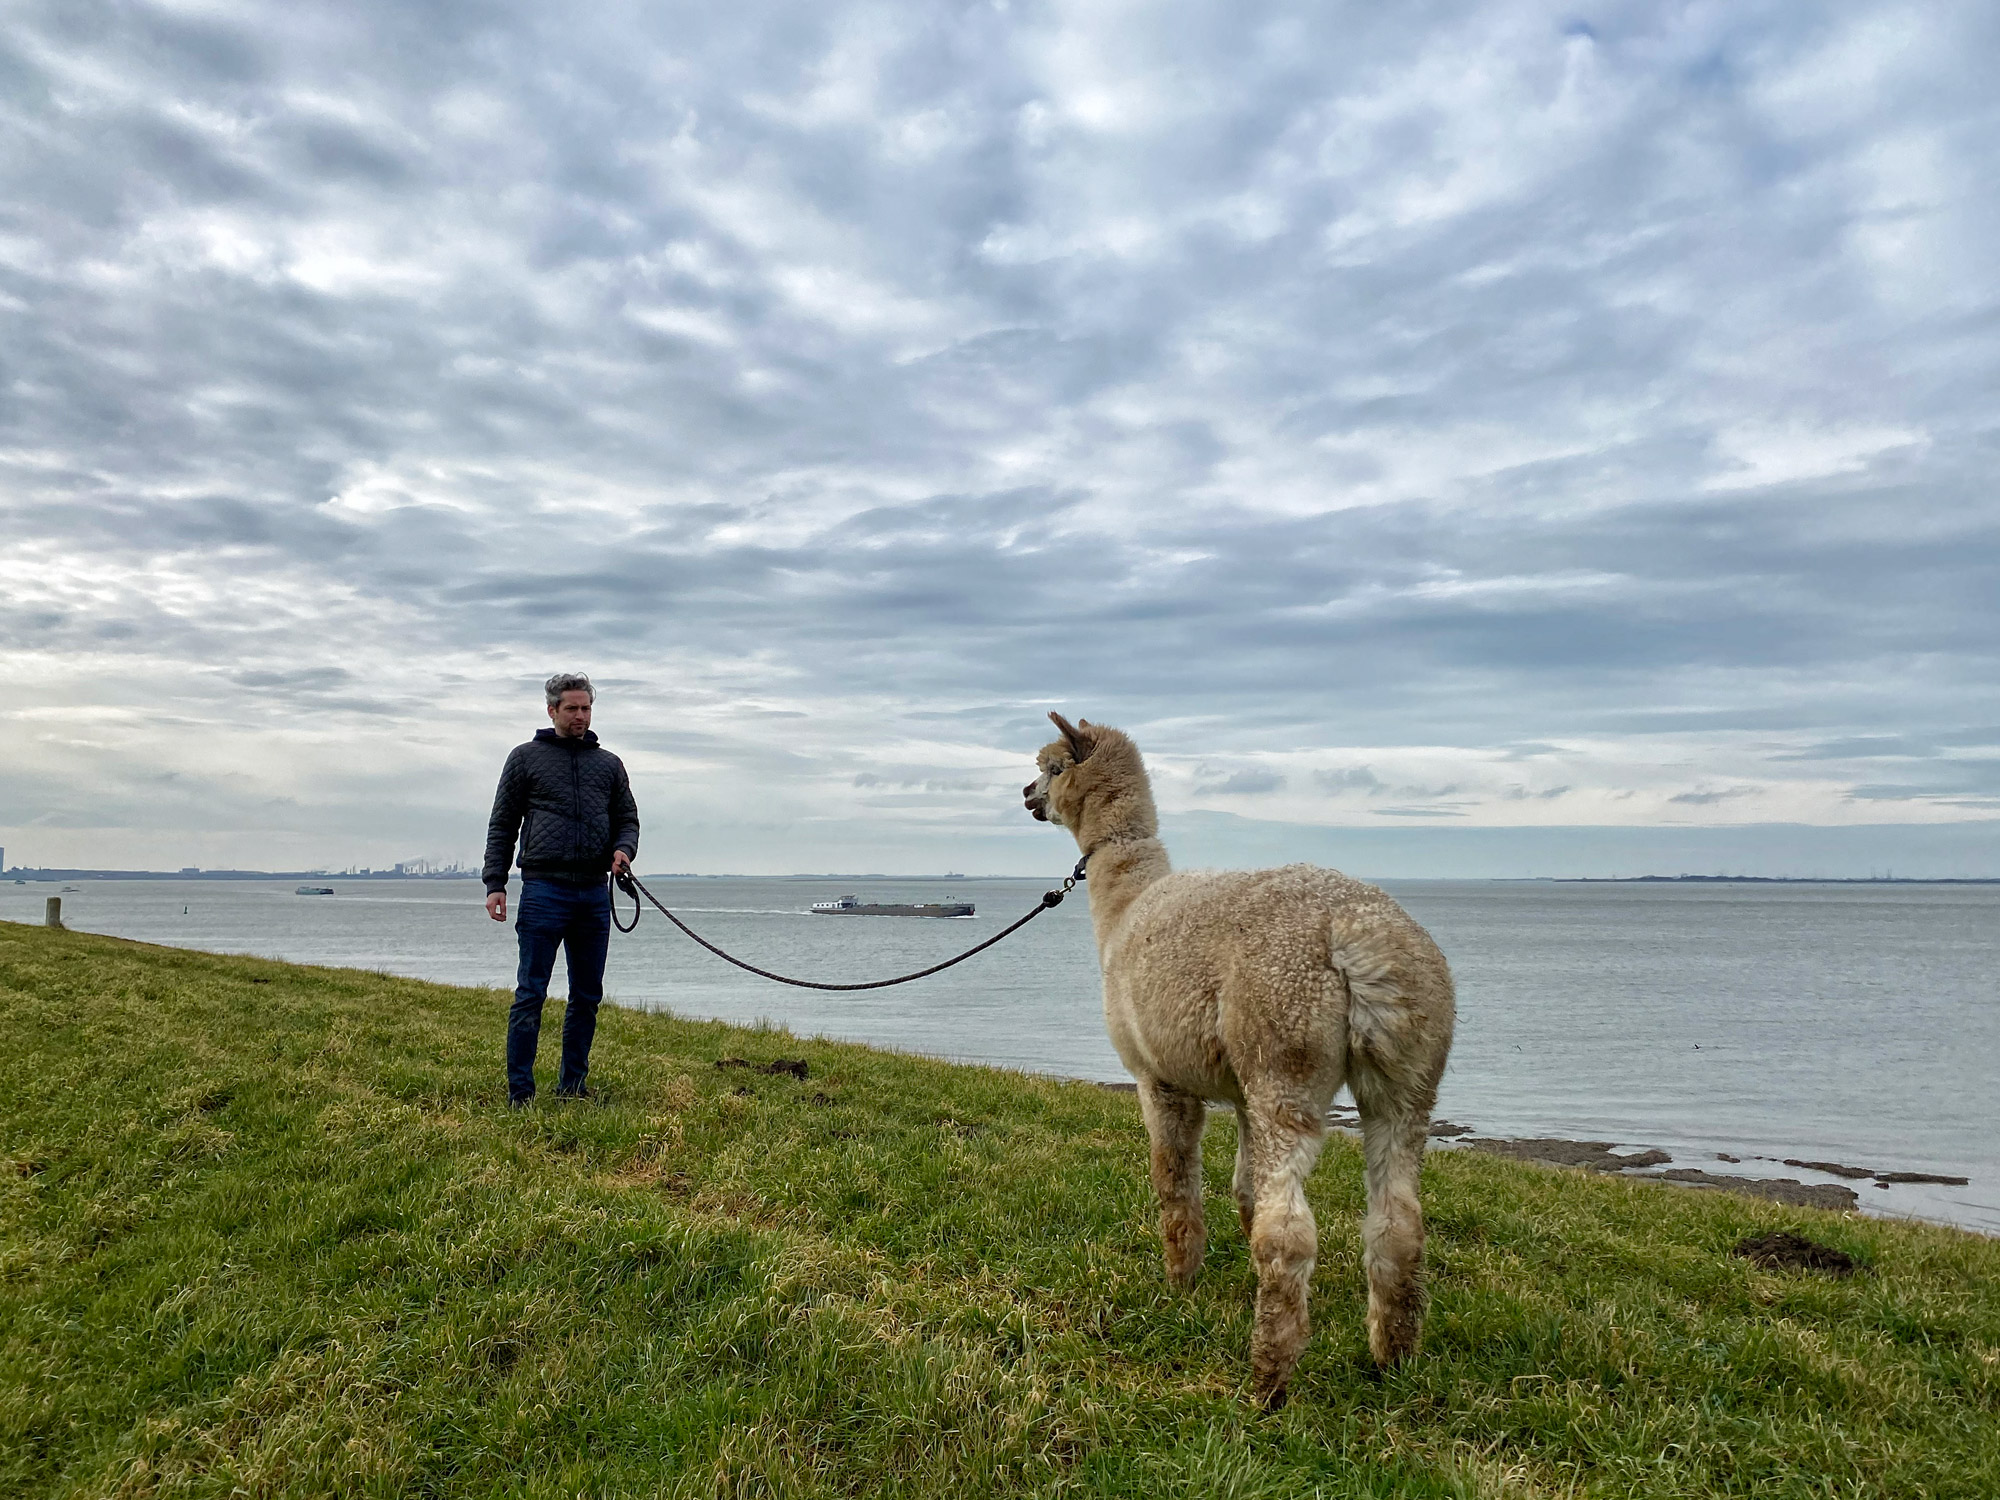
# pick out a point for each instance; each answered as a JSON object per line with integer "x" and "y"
{"x": 577, "y": 919}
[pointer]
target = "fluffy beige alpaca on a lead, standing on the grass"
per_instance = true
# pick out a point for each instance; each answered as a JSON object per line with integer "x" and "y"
{"x": 1269, "y": 989}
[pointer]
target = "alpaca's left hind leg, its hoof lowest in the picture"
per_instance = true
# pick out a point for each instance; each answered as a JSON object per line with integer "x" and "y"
{"x": 1285, "y": 1241}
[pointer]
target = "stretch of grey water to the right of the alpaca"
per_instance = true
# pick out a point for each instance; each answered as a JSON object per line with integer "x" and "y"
{"x": 1825, "y": 1023}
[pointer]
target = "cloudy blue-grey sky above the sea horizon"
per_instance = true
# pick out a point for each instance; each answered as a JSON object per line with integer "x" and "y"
{"x": 1485, "y": 437}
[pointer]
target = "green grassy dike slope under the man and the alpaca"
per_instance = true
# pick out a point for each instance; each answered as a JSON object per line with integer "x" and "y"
{"x": 271, "y": 1231}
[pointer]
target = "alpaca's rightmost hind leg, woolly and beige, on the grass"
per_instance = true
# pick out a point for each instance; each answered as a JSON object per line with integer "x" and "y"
{"x": 1393, "y": 1233}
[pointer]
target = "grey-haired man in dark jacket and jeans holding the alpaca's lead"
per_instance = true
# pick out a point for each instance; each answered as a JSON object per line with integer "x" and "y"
{"x": 573, "y": 809}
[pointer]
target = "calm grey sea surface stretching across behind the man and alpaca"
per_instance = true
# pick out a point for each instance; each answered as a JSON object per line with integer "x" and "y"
{"x": 1823, "y": 1023}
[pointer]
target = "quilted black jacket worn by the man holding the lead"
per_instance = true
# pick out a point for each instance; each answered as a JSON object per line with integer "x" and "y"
{"x": 571, "y": 805}
